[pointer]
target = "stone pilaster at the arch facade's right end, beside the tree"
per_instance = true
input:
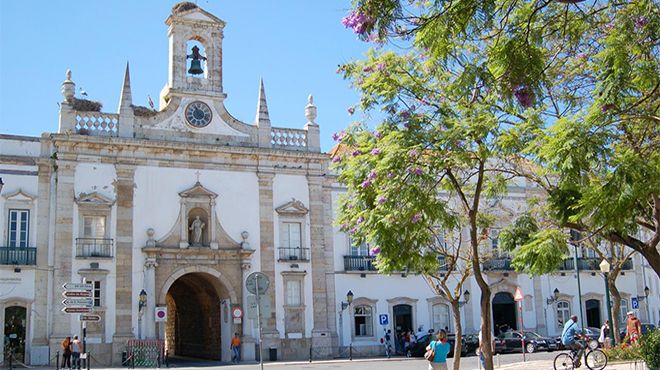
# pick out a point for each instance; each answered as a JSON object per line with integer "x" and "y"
{"x": 321, "y": 337}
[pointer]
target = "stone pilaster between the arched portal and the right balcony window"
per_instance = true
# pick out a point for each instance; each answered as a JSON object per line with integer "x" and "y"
{"x": 267, "y": 244}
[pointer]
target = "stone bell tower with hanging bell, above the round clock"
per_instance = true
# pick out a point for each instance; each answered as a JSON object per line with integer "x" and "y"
{"x": 195, "y": 52}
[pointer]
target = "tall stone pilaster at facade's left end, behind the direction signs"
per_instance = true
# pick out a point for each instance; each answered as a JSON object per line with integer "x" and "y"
{"x": 66, "y": 167}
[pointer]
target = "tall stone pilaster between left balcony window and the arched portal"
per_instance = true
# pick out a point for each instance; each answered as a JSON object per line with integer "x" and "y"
{"x": 124, "y": 295}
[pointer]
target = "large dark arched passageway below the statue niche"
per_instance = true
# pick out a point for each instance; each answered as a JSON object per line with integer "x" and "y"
{"x": 195, "y": 327}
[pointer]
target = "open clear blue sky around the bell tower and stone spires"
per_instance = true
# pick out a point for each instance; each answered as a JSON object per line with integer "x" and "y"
{"x": 294, "y": 45}
